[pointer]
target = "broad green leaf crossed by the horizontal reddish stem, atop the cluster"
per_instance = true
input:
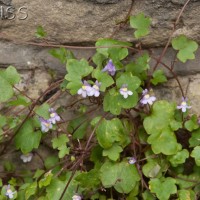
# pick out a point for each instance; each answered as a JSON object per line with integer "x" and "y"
{"x": 115, "y": 53}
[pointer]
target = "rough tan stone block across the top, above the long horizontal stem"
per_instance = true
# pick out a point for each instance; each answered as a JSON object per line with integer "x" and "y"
{"x": 84, "y": 21}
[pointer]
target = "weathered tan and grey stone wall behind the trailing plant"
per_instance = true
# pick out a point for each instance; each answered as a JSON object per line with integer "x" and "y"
{"x": 82, "y": 22}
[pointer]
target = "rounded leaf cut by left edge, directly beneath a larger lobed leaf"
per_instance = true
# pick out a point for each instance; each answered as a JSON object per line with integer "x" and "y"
{"x": 6, "y": 90}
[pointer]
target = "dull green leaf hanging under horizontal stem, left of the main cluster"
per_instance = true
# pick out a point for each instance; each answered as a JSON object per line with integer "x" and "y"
{"x": 61, "y": 54}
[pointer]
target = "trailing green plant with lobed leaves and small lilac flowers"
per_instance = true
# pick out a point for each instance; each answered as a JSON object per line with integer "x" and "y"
{"x": 92, "y": 152}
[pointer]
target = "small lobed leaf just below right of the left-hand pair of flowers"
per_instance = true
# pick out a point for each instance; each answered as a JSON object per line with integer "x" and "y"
{"x": 60, "y": 143}
